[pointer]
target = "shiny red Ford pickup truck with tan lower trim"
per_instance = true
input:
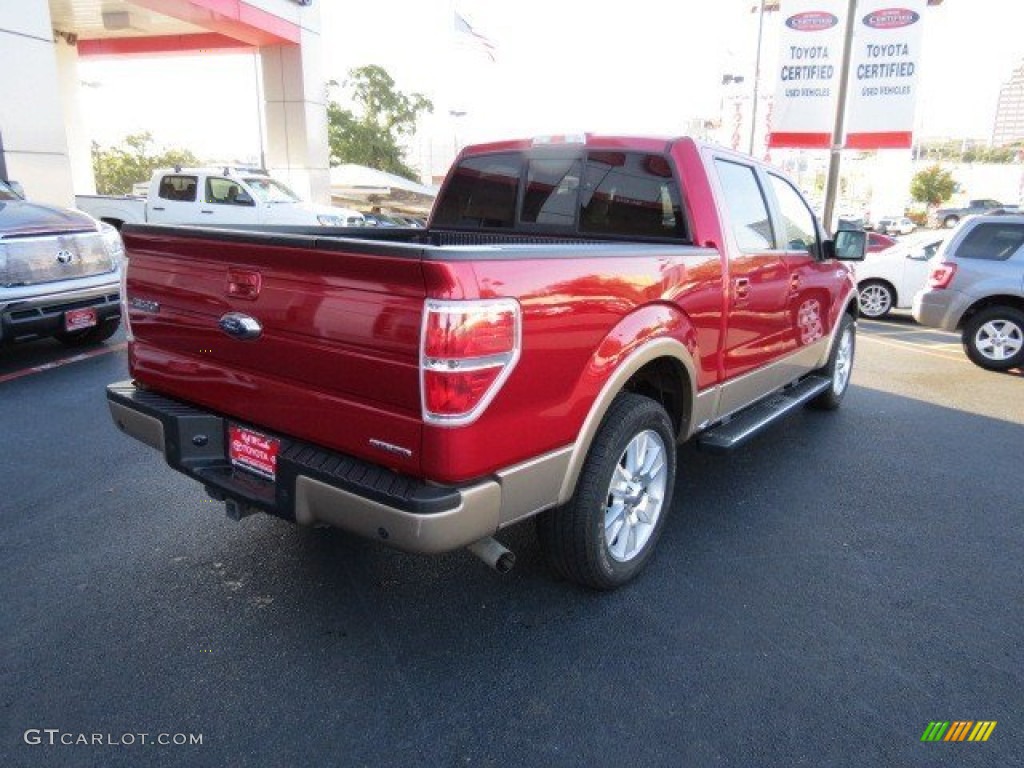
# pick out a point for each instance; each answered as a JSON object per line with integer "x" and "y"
{"x": 575, "y": 310}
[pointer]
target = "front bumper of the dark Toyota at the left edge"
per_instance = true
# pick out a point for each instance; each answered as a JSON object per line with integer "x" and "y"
{"x": 45, "y": 316}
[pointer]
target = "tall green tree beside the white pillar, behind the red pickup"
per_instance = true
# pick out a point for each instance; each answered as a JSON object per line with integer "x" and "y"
{"x": 371, "y": 136}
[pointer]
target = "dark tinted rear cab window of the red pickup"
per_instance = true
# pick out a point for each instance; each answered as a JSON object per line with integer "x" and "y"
{"x": 628, "y": 195}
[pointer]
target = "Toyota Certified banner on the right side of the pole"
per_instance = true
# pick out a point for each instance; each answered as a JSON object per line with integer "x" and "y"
{"x": 884, "y": 74}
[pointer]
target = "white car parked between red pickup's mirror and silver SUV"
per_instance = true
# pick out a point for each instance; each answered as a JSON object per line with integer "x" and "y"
{"x": 889, "y": 279}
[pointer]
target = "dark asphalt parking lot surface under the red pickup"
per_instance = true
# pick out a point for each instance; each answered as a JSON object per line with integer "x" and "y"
{"x": 820, "y": 598}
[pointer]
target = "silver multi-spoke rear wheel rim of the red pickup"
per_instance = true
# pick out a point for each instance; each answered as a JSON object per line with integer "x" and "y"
{"x": 635, "y": 497}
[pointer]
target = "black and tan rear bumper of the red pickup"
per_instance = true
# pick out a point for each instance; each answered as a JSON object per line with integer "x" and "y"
{"x": 312, "y": 486}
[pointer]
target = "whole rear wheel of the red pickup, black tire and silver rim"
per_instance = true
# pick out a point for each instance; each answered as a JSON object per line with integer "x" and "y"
{"x": 575, "y": 538}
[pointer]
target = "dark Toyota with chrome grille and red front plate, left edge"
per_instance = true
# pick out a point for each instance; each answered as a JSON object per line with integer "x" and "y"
{"x": 60, "y": 274}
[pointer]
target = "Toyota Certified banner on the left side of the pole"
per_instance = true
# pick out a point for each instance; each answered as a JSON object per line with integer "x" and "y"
{"x": 809, "y": 65}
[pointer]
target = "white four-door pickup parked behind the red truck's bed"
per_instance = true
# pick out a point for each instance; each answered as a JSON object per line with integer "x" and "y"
{"x": 212, "y": 197}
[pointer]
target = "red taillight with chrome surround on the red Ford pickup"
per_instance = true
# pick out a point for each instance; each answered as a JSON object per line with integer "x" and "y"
{"x": 467, "y": 351}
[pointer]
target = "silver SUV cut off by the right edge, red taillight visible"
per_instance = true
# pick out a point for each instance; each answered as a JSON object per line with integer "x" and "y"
{"x": 977, "y": 287}
